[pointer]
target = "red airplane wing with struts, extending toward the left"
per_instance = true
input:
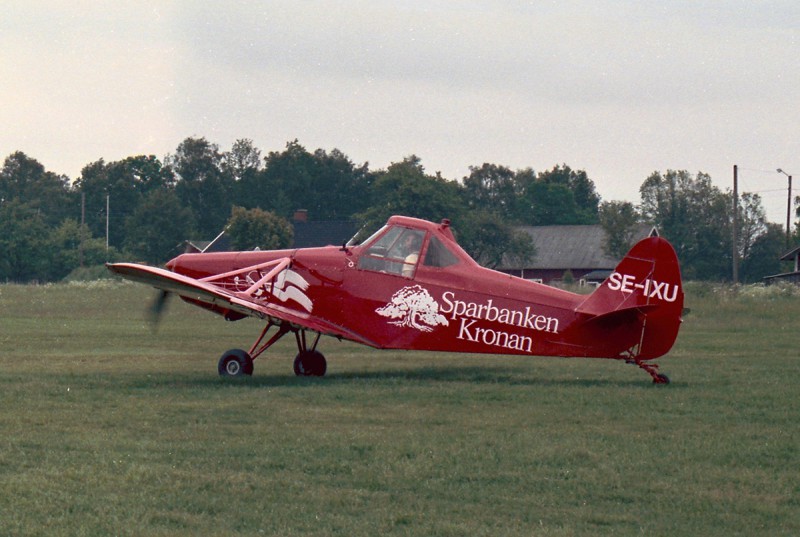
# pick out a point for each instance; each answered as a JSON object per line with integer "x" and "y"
{"x": 205, "y": 292}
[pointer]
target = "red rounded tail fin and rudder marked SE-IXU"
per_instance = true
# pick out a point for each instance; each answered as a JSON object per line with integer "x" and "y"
{"x": 647, "y": 285}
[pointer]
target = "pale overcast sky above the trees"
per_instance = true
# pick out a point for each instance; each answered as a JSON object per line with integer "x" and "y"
{"x": 619, "y": 89}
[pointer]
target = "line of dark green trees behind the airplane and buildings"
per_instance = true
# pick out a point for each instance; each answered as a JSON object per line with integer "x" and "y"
{"x": 143, "y": 208}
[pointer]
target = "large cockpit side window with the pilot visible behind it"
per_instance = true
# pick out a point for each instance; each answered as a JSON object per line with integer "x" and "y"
{"x": 395, "y": 252}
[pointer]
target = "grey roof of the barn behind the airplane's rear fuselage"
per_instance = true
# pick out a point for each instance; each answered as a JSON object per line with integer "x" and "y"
{"x": 571, "y": 247}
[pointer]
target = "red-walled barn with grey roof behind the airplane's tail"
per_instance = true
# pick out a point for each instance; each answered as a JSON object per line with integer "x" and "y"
{"x": 579, "y": 250}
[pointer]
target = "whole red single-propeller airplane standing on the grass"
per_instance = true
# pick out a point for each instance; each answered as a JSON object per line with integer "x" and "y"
{"x": 411, "y": 286}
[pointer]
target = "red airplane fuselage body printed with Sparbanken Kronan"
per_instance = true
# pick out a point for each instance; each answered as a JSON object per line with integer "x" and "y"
{"x": 461, "y": 307}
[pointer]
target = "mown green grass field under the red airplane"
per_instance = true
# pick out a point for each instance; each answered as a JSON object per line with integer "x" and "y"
{"x": 109, "y": 429}
